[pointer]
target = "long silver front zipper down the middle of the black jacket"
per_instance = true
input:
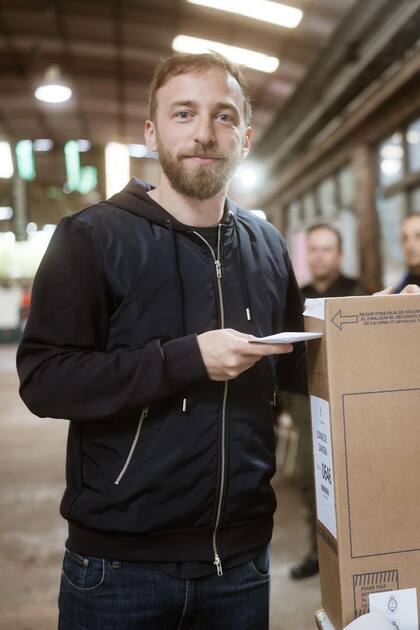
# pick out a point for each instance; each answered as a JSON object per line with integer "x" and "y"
{"x": 218, "y": 266}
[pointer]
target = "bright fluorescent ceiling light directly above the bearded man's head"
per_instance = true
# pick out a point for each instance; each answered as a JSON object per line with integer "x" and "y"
{"x": 243, "y": 56}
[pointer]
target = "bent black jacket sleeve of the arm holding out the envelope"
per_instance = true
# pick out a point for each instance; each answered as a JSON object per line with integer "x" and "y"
{"x": 63, "y": 366}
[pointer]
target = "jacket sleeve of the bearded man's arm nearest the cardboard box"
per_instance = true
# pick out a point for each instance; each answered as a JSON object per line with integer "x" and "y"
{"x": 291, "y": 368}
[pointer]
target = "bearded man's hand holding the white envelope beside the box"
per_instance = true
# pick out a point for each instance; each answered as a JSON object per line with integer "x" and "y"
{"x": 227, "y": 353}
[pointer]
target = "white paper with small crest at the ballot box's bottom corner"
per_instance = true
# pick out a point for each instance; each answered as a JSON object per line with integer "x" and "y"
{"x": 399, "y": 607}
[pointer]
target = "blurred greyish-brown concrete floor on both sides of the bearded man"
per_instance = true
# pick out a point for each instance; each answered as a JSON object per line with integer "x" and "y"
{"x": 32, "y": 533}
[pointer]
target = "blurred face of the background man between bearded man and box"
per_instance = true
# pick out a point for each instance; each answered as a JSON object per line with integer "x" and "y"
{"x": 324, "y": 255}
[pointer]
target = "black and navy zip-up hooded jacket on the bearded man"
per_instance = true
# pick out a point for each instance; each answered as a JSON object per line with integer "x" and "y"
{"x": 163, "y": 464}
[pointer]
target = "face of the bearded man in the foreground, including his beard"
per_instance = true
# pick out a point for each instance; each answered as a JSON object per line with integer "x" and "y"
{"x": 199, "y": 131}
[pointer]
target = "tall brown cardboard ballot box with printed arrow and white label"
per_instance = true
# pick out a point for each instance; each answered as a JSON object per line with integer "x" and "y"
{"x": 364, "y": 380}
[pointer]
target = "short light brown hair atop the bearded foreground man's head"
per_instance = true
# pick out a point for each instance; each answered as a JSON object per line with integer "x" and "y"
{"x": 178, "y": 64}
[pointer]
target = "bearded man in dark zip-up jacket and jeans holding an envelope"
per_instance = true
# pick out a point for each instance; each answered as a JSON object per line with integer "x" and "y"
{"x": 143, "y": 332}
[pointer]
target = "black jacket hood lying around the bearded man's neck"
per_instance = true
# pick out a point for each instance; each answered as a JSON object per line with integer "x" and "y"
{"x": 134, "y": 199}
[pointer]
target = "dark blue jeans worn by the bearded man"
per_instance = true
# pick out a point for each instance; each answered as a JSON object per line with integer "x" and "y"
{"x": 100, "y": 594}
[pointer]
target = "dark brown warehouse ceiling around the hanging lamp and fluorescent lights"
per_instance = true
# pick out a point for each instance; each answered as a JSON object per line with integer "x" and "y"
{"x": 107, "y": 50}
